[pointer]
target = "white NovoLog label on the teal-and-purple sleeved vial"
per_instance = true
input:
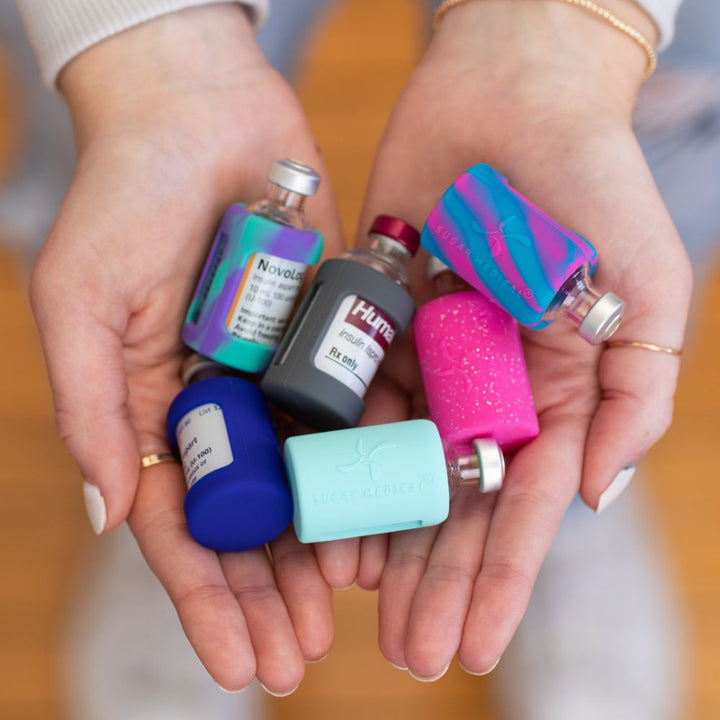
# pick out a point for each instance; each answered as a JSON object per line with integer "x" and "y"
{"x": 265, "y": 298}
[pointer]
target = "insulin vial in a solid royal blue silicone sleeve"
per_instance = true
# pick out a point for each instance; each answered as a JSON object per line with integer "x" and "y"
{"x": 238, "y": 497}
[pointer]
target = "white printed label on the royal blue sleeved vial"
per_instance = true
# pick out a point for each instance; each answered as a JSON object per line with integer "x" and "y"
{"x": 203, "y": 442}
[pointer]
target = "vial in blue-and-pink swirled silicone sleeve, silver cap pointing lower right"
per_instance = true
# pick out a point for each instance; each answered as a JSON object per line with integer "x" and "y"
{"x": 518, "y": 256}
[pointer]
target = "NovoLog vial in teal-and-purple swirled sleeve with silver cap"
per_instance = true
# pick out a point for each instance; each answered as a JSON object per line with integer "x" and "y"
{"x": 254, "y": 272}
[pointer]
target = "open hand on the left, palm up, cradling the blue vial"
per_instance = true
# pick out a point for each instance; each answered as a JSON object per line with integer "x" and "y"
{"x": 175, "y": 119}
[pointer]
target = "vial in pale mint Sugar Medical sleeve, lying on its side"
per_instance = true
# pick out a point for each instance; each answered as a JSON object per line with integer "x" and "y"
{"x": 381, "y": 478}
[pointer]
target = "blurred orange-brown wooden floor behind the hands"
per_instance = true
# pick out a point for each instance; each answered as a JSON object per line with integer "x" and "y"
{"x": 43, "y": 530}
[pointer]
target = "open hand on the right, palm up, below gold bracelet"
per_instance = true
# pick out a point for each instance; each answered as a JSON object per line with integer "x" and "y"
{"x": 543, "y": 92}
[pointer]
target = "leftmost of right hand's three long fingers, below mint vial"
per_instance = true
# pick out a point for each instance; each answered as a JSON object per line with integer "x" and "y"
{"x": 408, "y": 553}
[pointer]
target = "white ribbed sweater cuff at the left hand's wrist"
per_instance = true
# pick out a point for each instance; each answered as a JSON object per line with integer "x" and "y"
{"x": 61, "y": 29}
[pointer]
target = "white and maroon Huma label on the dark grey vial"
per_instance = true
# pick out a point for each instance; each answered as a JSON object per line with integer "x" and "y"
{"x": 355, "y": 343}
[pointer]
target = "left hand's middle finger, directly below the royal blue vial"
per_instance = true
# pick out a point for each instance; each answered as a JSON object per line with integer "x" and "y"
{"x": 280, "y": 663}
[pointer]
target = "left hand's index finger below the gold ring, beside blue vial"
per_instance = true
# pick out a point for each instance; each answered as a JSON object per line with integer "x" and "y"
{"x": 193, "y": 578}
